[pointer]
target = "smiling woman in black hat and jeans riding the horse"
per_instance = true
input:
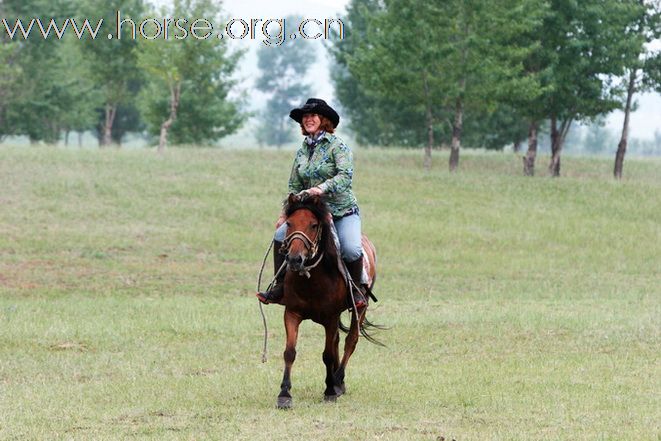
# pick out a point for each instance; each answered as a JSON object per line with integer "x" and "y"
{"x": 323, "y": 166}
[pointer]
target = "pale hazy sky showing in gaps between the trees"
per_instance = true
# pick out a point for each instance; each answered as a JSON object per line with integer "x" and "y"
{"x": 644, "y": 121}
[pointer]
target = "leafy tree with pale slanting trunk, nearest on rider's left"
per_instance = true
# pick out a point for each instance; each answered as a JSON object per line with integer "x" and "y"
{"x": 188, "y": 82}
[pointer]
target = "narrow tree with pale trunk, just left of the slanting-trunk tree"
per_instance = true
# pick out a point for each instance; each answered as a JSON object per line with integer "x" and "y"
{"x": 114, "y": 60}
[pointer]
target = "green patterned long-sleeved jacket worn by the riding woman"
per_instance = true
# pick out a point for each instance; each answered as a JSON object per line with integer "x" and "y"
{"x": 329, "y": 166}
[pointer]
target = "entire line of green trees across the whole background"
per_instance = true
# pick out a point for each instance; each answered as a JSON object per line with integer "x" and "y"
{"x": 480, "y": 73}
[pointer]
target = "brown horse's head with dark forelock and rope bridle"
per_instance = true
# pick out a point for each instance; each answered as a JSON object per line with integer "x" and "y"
{"x": 307, "y": 219}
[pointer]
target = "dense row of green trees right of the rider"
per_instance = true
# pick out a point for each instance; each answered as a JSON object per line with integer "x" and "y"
{"x": 490, "y": 73}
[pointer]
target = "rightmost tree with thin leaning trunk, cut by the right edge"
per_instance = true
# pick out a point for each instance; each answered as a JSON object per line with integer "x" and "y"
{"x": 641, "y": 71}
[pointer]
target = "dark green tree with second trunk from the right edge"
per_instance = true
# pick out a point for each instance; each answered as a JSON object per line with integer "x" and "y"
{"x": 586, "y": 42}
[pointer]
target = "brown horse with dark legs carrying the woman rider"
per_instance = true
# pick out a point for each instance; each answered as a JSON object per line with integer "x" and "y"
{"x": 316, "y": 289}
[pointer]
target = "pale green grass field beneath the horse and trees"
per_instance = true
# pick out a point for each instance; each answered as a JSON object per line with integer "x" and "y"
{"x": 520, "y": 308}
